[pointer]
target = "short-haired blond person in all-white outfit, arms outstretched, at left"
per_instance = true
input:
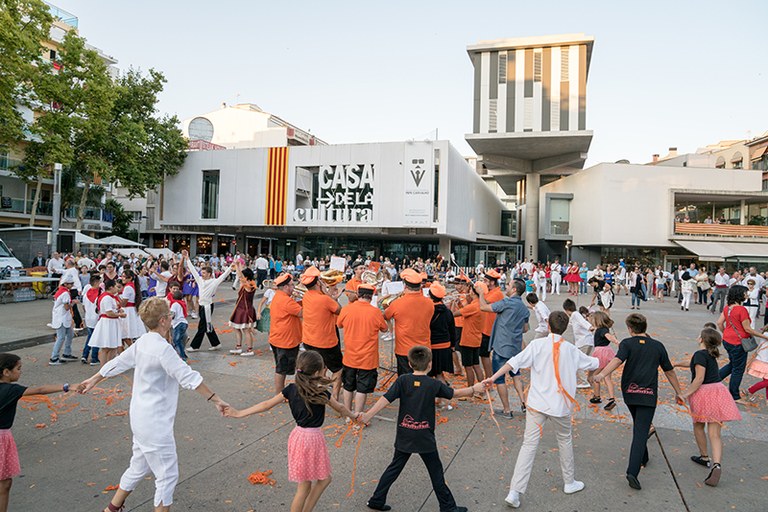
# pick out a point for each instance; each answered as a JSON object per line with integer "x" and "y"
{"x": 159, "y": 371}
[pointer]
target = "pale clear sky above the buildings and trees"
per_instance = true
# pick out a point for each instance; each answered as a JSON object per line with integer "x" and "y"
{"x": 663, "y": 74}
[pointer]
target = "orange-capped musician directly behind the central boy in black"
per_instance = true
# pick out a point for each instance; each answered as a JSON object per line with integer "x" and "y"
{"x": 412, "y": 313}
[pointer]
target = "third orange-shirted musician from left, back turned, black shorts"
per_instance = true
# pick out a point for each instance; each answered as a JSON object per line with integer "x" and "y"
{"x": 361, "y": 323}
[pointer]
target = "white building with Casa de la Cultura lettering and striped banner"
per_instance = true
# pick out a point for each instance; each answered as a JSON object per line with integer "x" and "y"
{"x": 392, "y": 199}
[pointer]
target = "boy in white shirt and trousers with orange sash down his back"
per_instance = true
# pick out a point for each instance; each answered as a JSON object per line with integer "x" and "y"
{"x": 553, "y": 363}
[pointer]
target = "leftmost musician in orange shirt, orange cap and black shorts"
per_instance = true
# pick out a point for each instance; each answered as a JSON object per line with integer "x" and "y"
{"x": 284, "y": 330}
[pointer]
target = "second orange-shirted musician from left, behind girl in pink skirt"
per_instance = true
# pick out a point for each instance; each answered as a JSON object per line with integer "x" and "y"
{"x": 320, "y": 307}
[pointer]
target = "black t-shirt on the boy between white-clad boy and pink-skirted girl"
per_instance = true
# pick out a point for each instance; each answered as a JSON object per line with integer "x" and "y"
{"x": 642, "y": 356}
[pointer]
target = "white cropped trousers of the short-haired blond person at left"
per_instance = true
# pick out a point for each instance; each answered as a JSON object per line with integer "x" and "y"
{"x": 162, "y": 462}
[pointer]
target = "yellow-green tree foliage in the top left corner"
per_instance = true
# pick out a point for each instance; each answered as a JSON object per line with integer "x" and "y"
{"x": 24, "y": 24}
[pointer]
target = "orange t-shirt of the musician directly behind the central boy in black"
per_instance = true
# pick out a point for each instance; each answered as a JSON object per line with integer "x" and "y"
{"x": 412, "y": 313}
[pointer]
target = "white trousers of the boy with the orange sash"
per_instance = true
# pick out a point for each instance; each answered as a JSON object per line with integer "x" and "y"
{"x": 534, "y": 422}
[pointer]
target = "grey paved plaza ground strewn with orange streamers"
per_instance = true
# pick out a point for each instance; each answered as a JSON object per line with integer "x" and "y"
{"x": 75, "y": 447}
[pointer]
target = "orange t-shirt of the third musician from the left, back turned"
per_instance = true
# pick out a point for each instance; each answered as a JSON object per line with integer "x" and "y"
{"x": 361, "y": 323}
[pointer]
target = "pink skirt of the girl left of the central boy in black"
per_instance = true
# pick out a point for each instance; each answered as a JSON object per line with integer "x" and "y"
{"x": 308, "y": 455}
